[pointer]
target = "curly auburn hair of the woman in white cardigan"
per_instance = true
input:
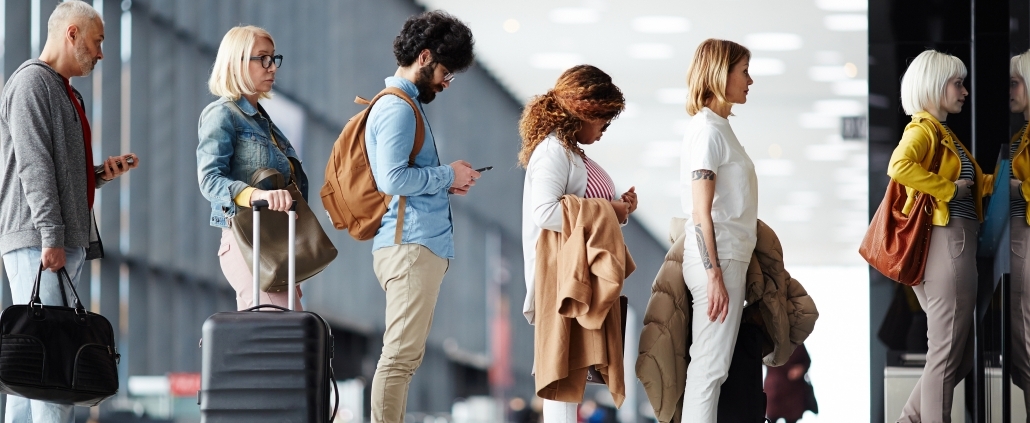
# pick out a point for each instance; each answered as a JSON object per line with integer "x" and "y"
{"x": 582, "y": 93}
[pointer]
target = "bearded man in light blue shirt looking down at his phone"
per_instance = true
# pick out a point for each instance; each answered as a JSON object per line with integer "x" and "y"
{"x": 410, "y": 263}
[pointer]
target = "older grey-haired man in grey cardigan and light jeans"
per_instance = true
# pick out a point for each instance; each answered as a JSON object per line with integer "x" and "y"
{"x": 49, "y": 179}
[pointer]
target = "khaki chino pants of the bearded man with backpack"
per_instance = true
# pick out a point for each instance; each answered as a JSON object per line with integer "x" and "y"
{"x": 411, "y": 276}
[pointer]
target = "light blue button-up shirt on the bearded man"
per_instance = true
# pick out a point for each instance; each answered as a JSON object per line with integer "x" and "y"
{"x": 390, "y": 137}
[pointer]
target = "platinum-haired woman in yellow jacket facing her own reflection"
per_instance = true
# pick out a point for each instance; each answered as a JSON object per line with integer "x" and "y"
{"x": 932, "y": 89}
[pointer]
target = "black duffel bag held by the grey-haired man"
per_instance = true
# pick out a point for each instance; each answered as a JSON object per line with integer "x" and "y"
{"x": 57, "y": 354}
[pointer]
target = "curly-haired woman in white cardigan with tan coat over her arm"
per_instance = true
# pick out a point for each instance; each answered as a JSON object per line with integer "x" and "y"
{"x": 555, "y": 129}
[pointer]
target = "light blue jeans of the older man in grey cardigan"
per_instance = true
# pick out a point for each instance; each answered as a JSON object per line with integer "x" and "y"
{"x": 22, "y": 266}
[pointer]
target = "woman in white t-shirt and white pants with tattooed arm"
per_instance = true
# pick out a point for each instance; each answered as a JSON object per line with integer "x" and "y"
{"x": 720, "y": 198}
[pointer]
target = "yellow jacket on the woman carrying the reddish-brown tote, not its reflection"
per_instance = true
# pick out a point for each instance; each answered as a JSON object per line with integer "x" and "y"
{"x": 912, "y": 159}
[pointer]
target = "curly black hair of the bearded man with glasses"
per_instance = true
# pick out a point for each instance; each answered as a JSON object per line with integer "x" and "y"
{"x": 448, "y": 39}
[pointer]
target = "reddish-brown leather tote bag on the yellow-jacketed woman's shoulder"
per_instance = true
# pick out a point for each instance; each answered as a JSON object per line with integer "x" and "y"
{"x": 897, "y": 244}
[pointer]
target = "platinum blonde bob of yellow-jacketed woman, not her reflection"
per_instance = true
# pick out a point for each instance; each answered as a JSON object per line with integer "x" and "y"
{"x": 926, "y": 79}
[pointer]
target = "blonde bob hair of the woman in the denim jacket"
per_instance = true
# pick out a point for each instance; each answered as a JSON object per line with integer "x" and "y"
{"x": 229, "y": 76}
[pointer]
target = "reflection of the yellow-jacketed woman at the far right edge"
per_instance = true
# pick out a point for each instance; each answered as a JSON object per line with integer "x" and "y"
{"x": 1020, "y": 229}
